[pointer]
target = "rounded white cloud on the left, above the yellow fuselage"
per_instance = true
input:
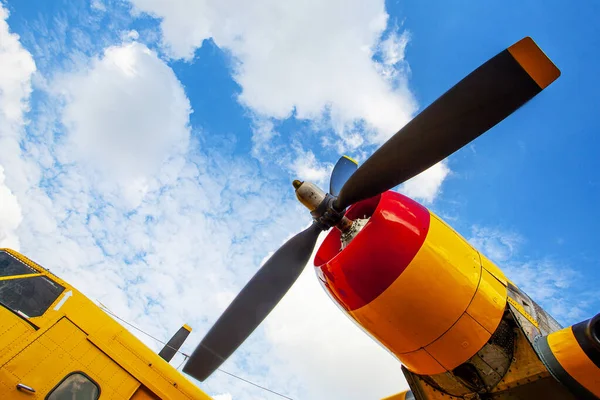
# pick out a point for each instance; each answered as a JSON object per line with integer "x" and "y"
{"x": 129, "y": 108}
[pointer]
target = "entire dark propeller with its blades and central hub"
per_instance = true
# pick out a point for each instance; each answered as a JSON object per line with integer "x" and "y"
{"x": 481, "y": 100}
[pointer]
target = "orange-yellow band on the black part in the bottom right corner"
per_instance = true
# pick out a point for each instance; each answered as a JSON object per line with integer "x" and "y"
{"x": 573, "y": 359}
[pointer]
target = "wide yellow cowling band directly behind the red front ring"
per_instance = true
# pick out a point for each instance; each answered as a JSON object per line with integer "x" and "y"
{"x": 440, "y": 282}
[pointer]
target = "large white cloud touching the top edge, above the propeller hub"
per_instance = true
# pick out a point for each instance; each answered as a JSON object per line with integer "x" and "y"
{"x": 306, "y": 58}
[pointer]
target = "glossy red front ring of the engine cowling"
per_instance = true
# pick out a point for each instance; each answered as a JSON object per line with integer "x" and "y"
{"x": 377, "y": 256}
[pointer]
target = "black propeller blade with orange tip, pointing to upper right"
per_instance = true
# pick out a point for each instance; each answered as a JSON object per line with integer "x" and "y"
{"x": 478, "y": 102}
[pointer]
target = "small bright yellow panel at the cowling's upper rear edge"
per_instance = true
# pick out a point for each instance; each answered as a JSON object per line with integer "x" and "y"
{"x": 487, "y": 307}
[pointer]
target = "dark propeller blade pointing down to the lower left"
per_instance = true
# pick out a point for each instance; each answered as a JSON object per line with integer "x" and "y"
{"x": 256, "y": 300}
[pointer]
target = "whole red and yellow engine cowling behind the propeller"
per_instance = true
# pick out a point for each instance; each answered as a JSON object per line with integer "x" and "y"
{"x": 414, "y": 284}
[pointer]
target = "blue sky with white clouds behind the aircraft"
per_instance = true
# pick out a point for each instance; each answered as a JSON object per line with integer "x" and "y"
{"x": 147, "y": 149}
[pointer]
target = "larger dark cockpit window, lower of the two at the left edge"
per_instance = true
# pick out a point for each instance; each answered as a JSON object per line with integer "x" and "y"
{"x": 29, "y": 297}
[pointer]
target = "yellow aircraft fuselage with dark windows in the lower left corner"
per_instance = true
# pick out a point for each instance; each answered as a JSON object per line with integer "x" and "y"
{"x": 67, "y": 340}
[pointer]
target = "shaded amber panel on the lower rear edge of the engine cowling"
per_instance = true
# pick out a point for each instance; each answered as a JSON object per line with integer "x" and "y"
{"x": 460, "y": 343}
